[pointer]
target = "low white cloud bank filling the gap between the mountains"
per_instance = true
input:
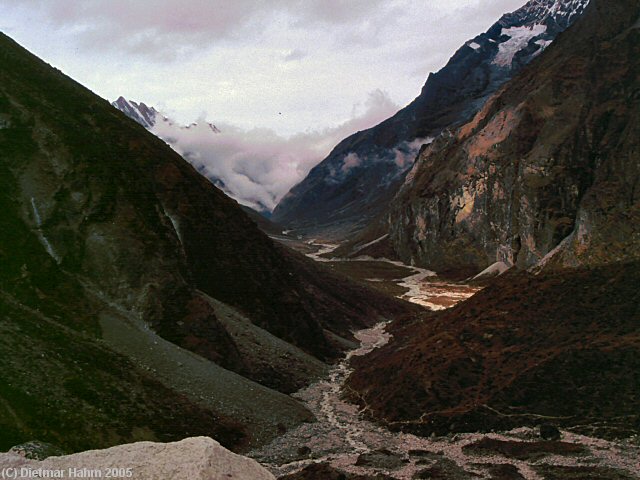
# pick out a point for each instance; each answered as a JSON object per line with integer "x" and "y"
{"x": 258, "y": 166}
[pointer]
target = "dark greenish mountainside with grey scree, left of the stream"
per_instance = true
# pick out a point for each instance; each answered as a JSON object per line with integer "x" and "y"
{"x": 138, "y": 302}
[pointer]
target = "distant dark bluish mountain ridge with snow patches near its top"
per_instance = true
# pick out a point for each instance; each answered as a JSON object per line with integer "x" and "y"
{"x": 355, "y": 182}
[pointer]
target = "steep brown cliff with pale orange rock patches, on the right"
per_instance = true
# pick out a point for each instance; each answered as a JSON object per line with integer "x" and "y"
{"x": 547, "y": 171}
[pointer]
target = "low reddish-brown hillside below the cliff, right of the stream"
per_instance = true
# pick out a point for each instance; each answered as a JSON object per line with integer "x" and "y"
{"x": 560, "y": 348}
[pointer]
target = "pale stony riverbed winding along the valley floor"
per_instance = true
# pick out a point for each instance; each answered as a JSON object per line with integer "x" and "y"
{"x": 342, "y": 441}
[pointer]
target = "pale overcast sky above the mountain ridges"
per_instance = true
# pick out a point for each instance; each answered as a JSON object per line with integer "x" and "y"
{"x": 291, "y": 66}
